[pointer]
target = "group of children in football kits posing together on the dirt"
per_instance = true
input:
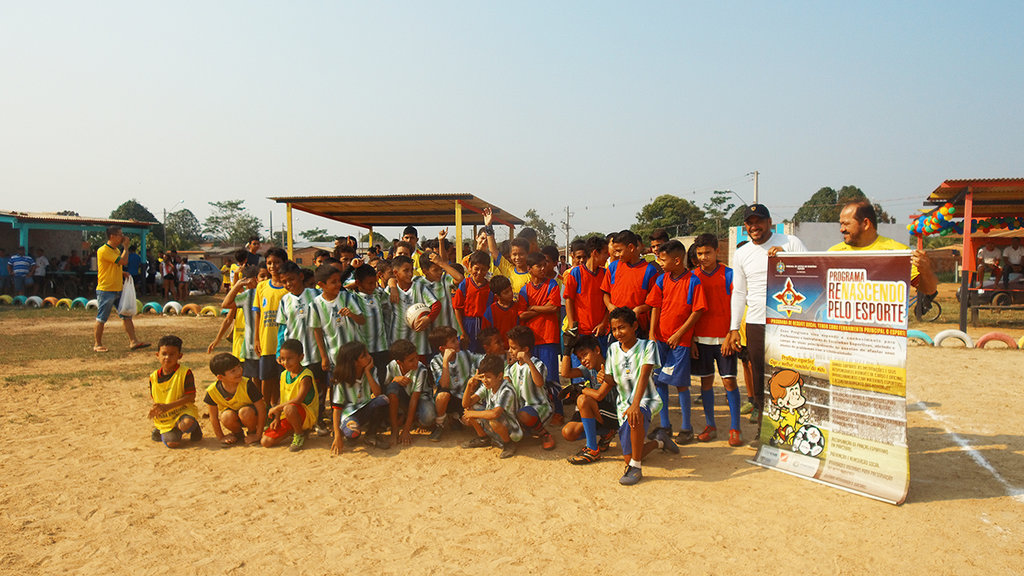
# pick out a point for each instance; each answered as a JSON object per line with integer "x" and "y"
{"x": 358, "y": 349}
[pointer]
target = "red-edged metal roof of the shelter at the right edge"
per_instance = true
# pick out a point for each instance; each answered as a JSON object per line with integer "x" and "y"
{"x": 992, "y": 197}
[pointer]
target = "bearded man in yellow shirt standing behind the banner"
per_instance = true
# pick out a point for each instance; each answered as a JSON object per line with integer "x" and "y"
{"x": 860, "y": 226}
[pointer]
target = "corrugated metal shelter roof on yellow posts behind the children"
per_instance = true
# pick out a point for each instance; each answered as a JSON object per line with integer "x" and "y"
{"x": 399, "y": 211}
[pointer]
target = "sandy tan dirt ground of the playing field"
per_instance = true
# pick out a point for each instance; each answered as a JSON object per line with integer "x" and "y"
{"x": 86, "y": 491}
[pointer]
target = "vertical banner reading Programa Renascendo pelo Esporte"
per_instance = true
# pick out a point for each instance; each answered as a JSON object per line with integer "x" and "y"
{"x": 836, "y": 371}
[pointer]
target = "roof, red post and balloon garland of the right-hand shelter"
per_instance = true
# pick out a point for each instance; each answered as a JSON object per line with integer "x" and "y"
{"x": 986, "y": 207}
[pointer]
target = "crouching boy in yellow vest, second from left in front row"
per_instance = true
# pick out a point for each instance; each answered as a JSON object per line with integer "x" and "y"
{"x": 234, "y": 403}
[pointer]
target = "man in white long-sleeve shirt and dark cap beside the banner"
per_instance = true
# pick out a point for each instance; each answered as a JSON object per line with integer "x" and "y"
{"x": 750, "y": 286}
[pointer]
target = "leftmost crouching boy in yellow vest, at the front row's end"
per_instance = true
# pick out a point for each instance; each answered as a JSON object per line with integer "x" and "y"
{"x": 174, "y": 390}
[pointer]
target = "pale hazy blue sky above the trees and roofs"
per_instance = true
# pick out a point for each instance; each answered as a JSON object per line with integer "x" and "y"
{"x": 599, "y": 107}
